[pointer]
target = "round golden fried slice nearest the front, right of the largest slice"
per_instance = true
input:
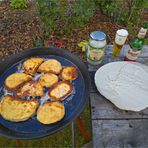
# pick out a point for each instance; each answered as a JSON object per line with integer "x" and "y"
{"x": 50, "y": 112}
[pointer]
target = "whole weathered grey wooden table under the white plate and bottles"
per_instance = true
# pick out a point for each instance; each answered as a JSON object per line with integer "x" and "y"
{"x": 111, "y": 126}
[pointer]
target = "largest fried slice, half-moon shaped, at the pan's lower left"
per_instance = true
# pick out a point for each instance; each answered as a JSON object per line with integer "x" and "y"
{"x": 16, "y": 110}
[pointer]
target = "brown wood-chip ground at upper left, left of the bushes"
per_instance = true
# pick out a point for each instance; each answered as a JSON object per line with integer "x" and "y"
{"x": 17, "y": 28}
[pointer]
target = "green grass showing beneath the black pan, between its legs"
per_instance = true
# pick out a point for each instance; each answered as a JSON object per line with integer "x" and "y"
{"x": 60, "y": 139}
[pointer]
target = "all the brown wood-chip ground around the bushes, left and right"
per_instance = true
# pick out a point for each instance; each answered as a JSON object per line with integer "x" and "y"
{"x": 19, "y": 28}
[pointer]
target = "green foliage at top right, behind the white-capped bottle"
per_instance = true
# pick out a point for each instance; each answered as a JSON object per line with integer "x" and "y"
{"x": 127, "y": 12}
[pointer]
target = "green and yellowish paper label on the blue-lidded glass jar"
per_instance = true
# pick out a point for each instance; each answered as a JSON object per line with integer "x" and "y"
{"x": 95, "y": 54}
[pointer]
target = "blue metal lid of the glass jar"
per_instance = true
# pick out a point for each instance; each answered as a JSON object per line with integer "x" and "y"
{"x": 98, "y": 35}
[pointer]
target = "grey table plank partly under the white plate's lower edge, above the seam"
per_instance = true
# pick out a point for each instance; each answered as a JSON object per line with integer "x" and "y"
{"x": 101, "y": 108}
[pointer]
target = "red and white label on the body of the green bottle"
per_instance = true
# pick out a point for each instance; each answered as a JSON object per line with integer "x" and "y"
{"x": 132, "y": 54}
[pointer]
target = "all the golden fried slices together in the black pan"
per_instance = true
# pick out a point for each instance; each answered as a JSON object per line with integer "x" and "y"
{"x": 53, "y": 77}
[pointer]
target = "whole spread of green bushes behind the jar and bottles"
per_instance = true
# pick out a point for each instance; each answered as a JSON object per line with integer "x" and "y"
{"x": 61, "y": 16}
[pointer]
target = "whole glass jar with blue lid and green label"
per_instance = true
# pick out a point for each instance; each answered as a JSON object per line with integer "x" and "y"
{"x": 96, "y": 47}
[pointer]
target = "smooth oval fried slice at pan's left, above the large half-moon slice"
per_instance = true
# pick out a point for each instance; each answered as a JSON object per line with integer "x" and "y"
{"x": 15, "y": 80}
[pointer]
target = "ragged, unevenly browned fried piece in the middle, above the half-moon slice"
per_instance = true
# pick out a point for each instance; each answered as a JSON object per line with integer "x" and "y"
{"x": 31, "y": 89}
